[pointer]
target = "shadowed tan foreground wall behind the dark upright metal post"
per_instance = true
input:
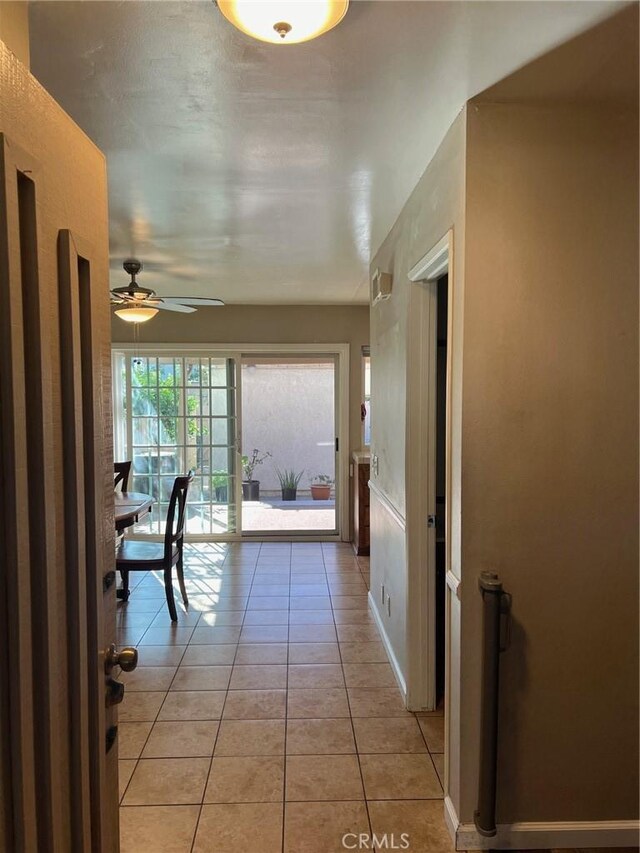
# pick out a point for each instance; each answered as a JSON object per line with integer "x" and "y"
{"x": 550, "y": 451}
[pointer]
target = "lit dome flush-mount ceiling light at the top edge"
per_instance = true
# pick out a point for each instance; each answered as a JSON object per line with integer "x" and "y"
{"x": 284, "y": 21}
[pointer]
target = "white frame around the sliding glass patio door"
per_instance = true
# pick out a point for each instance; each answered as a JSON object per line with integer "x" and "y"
{"x": 342, "y": 353}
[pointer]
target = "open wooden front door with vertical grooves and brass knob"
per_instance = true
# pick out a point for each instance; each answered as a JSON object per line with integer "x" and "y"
{"x": 58, "y": 786}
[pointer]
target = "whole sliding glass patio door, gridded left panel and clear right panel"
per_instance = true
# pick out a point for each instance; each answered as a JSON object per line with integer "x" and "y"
{"x": 259, "y": 429}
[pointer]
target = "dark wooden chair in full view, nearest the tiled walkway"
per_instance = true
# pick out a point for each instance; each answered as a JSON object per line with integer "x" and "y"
{"x": 156, "y": 556}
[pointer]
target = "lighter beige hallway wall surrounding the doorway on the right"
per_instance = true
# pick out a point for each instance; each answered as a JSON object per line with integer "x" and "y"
{"x": 435, "y": 207}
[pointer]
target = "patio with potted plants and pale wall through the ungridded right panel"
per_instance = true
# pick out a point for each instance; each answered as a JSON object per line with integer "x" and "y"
{"x": 289, "y": 444}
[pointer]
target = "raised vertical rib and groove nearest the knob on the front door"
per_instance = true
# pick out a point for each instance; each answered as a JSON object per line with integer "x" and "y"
{"x": 89, "y": 540}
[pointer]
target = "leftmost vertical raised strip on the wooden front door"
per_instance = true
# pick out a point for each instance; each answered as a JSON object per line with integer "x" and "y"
{"x": 17, "y": 680}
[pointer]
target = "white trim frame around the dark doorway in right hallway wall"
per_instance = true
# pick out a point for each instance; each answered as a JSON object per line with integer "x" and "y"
{"x": 420, "y": 471}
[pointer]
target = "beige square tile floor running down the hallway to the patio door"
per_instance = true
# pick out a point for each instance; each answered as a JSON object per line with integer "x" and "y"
{"x": 269, "y": 718}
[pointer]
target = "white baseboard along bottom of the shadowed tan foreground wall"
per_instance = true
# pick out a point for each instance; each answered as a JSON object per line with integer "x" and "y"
{"x": 536, "y": 836}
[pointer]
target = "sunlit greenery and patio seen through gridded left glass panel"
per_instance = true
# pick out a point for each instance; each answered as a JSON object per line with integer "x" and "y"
{"x": 180, "y": 416}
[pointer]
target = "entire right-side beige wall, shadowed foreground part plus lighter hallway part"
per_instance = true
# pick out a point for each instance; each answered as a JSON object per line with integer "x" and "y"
{"x": 543, "y": 202}
